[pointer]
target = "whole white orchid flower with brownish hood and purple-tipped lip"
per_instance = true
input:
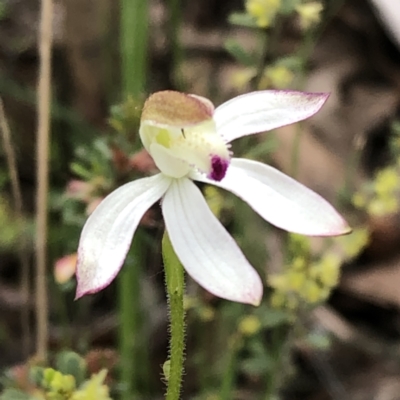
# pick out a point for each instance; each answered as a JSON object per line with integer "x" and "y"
{"x": 189, "y": 141}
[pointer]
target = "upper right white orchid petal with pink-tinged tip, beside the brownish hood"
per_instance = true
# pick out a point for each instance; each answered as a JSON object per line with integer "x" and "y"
{"x": 265, "y": 110}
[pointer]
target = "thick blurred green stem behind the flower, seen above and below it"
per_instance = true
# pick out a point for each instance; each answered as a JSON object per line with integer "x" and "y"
{"x": 133, "y": 46}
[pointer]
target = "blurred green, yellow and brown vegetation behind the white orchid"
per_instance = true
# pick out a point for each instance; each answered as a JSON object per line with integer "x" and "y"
{"x": 329, "y": 324}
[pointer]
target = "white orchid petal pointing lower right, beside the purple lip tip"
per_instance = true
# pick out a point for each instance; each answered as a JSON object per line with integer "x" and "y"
{"x": 280, "y": 200}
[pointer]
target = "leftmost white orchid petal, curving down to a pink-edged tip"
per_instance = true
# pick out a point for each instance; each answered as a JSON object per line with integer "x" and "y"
{"x": 108, "y": 232}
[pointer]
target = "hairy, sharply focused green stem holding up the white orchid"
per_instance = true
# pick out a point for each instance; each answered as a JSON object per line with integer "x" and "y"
{"x": 174, "y": 278}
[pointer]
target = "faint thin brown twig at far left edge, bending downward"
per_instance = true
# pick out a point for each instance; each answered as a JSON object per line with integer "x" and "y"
{"x": 22, "y": 251}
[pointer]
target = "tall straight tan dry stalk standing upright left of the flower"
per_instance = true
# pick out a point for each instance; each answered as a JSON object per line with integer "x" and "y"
{"x": 43, "y": 133}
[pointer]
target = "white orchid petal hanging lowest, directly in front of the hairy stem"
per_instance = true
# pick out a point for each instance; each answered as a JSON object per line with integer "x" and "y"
{"x": 207, "y": 251}
